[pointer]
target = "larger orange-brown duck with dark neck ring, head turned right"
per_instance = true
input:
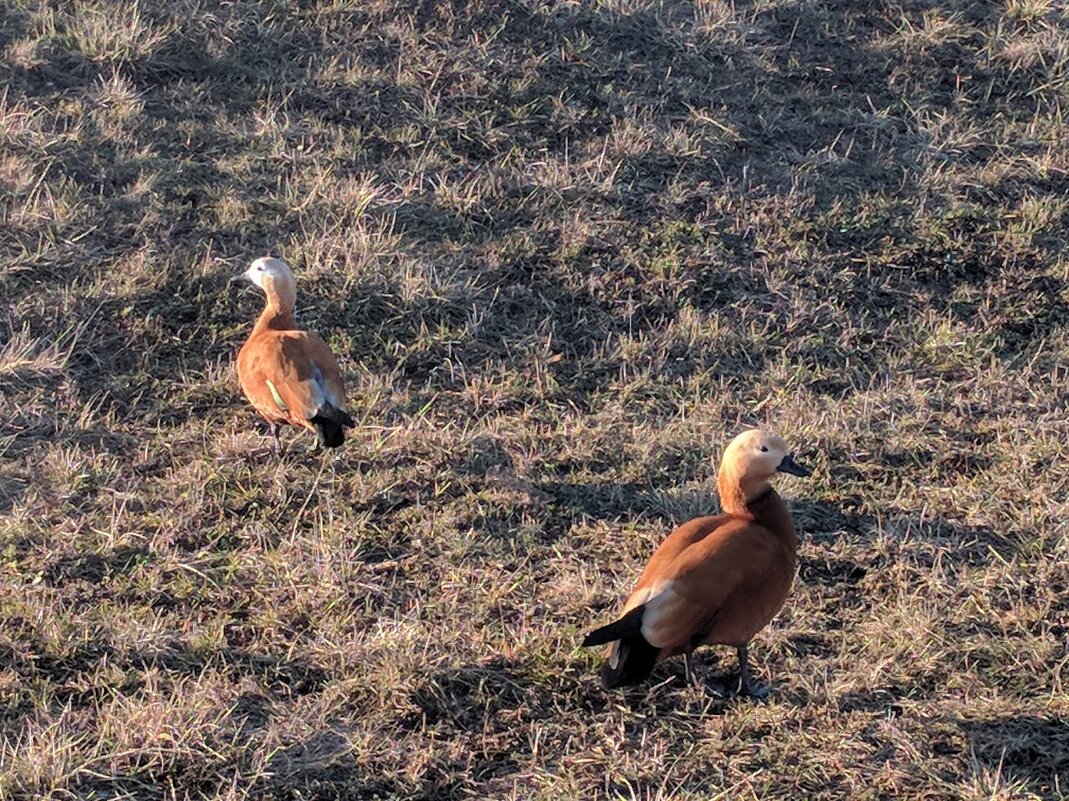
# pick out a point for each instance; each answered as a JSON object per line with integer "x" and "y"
{"x": 716, "y": 580}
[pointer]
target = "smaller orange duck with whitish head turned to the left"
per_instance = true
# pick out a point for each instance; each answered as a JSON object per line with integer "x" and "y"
{"x": 289, "y": 376}
